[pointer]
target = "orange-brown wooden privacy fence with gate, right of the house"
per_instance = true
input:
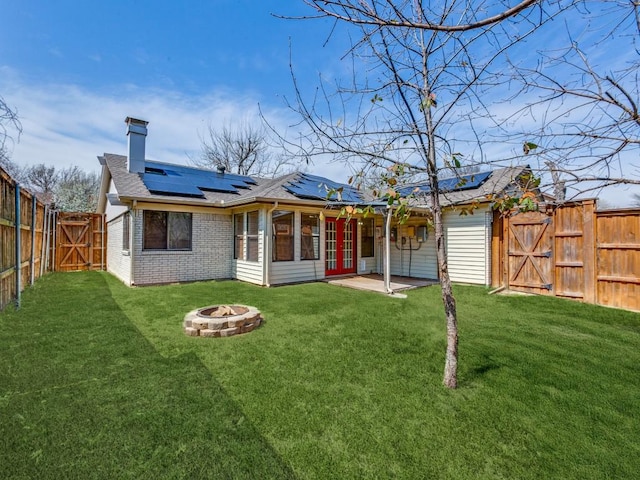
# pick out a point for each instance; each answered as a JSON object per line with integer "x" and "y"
{"x": 571, "y": 251}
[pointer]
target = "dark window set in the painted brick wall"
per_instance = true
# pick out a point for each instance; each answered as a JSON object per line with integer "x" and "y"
{"x": 166, "y": 231}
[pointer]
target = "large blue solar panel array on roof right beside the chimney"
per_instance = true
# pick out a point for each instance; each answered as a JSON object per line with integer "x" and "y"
{"x": 187, "y": 181}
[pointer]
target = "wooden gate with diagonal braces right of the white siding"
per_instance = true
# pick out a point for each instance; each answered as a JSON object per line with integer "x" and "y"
{"x": 529, "y": 241}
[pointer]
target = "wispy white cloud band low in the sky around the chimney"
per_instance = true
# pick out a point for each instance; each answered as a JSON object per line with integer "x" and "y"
{"x": 66, "y": 125}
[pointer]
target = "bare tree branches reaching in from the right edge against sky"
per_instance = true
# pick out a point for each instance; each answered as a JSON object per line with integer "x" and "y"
{"x": 580, "y": 101}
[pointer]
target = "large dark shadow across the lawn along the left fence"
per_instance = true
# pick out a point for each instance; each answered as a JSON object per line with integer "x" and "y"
{"x": 84, "y": 395}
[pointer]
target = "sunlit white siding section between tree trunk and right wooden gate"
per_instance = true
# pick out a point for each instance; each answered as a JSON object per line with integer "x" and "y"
{"x": 467, "y": 246}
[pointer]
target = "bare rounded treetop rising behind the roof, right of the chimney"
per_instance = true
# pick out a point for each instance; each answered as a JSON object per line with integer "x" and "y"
{"x": 244, "y": 150}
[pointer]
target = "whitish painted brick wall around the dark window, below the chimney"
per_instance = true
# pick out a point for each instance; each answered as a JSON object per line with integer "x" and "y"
{"x": 210, "y": 258}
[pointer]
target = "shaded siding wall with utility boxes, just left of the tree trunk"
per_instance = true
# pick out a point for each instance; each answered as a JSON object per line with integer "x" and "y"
{"x": 414, "y": 259}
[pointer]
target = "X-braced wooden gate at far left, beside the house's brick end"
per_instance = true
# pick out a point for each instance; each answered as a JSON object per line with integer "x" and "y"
{"x": 81, "y": 241}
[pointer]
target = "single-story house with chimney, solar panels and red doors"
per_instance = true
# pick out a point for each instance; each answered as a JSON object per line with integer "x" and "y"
{"x": 170, "y": 223}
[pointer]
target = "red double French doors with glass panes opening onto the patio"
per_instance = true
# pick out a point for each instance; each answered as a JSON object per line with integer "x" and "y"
{"x": 340, "y": 246}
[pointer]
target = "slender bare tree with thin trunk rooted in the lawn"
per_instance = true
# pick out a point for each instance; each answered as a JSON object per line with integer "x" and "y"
{"x": 424, "y": 77}
